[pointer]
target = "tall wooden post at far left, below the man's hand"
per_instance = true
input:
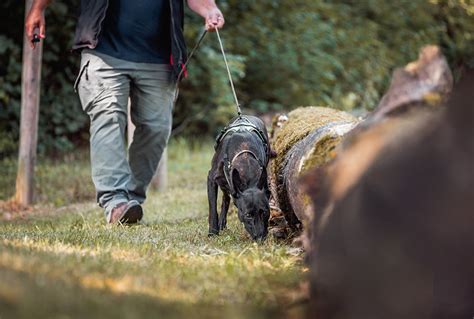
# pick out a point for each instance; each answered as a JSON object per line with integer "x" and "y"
{"x": 30, "y": 98}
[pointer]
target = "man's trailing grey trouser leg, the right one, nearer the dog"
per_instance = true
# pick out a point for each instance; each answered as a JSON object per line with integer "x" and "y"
{"x": 152, "y": 95}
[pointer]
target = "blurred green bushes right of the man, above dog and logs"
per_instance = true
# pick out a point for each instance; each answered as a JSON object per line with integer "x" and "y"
{"x": 336, "y": 53}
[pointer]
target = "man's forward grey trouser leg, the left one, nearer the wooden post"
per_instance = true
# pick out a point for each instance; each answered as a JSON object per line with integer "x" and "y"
{"x": 104, "y": 91}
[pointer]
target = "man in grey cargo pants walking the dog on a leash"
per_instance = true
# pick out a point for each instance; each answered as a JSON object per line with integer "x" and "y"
{"x": 129, "y": 49}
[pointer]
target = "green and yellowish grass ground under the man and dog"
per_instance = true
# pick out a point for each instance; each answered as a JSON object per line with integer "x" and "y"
{"x": 61, "y": 261}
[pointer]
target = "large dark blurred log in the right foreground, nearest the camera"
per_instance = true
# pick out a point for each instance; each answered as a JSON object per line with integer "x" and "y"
{"x": 396, "y": 234}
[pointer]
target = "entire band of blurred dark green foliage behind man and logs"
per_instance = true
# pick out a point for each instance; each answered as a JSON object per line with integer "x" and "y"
{"x": 283, "y": 54}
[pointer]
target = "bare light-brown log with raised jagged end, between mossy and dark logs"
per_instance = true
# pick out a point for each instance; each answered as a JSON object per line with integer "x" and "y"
{"x": 415, "y": 93}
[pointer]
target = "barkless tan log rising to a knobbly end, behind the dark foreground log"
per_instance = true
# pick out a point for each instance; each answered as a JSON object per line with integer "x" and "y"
{"x": 406, "y": 111}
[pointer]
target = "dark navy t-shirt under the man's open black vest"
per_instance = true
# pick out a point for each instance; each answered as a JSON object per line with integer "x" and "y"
{"x": 137, "y": 31}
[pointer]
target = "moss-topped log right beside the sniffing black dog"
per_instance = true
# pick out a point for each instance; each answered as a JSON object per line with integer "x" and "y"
{"x": 306, "y": 139}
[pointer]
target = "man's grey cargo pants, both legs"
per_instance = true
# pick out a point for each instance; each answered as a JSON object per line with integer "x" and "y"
{"x": 104, "y": 85}
